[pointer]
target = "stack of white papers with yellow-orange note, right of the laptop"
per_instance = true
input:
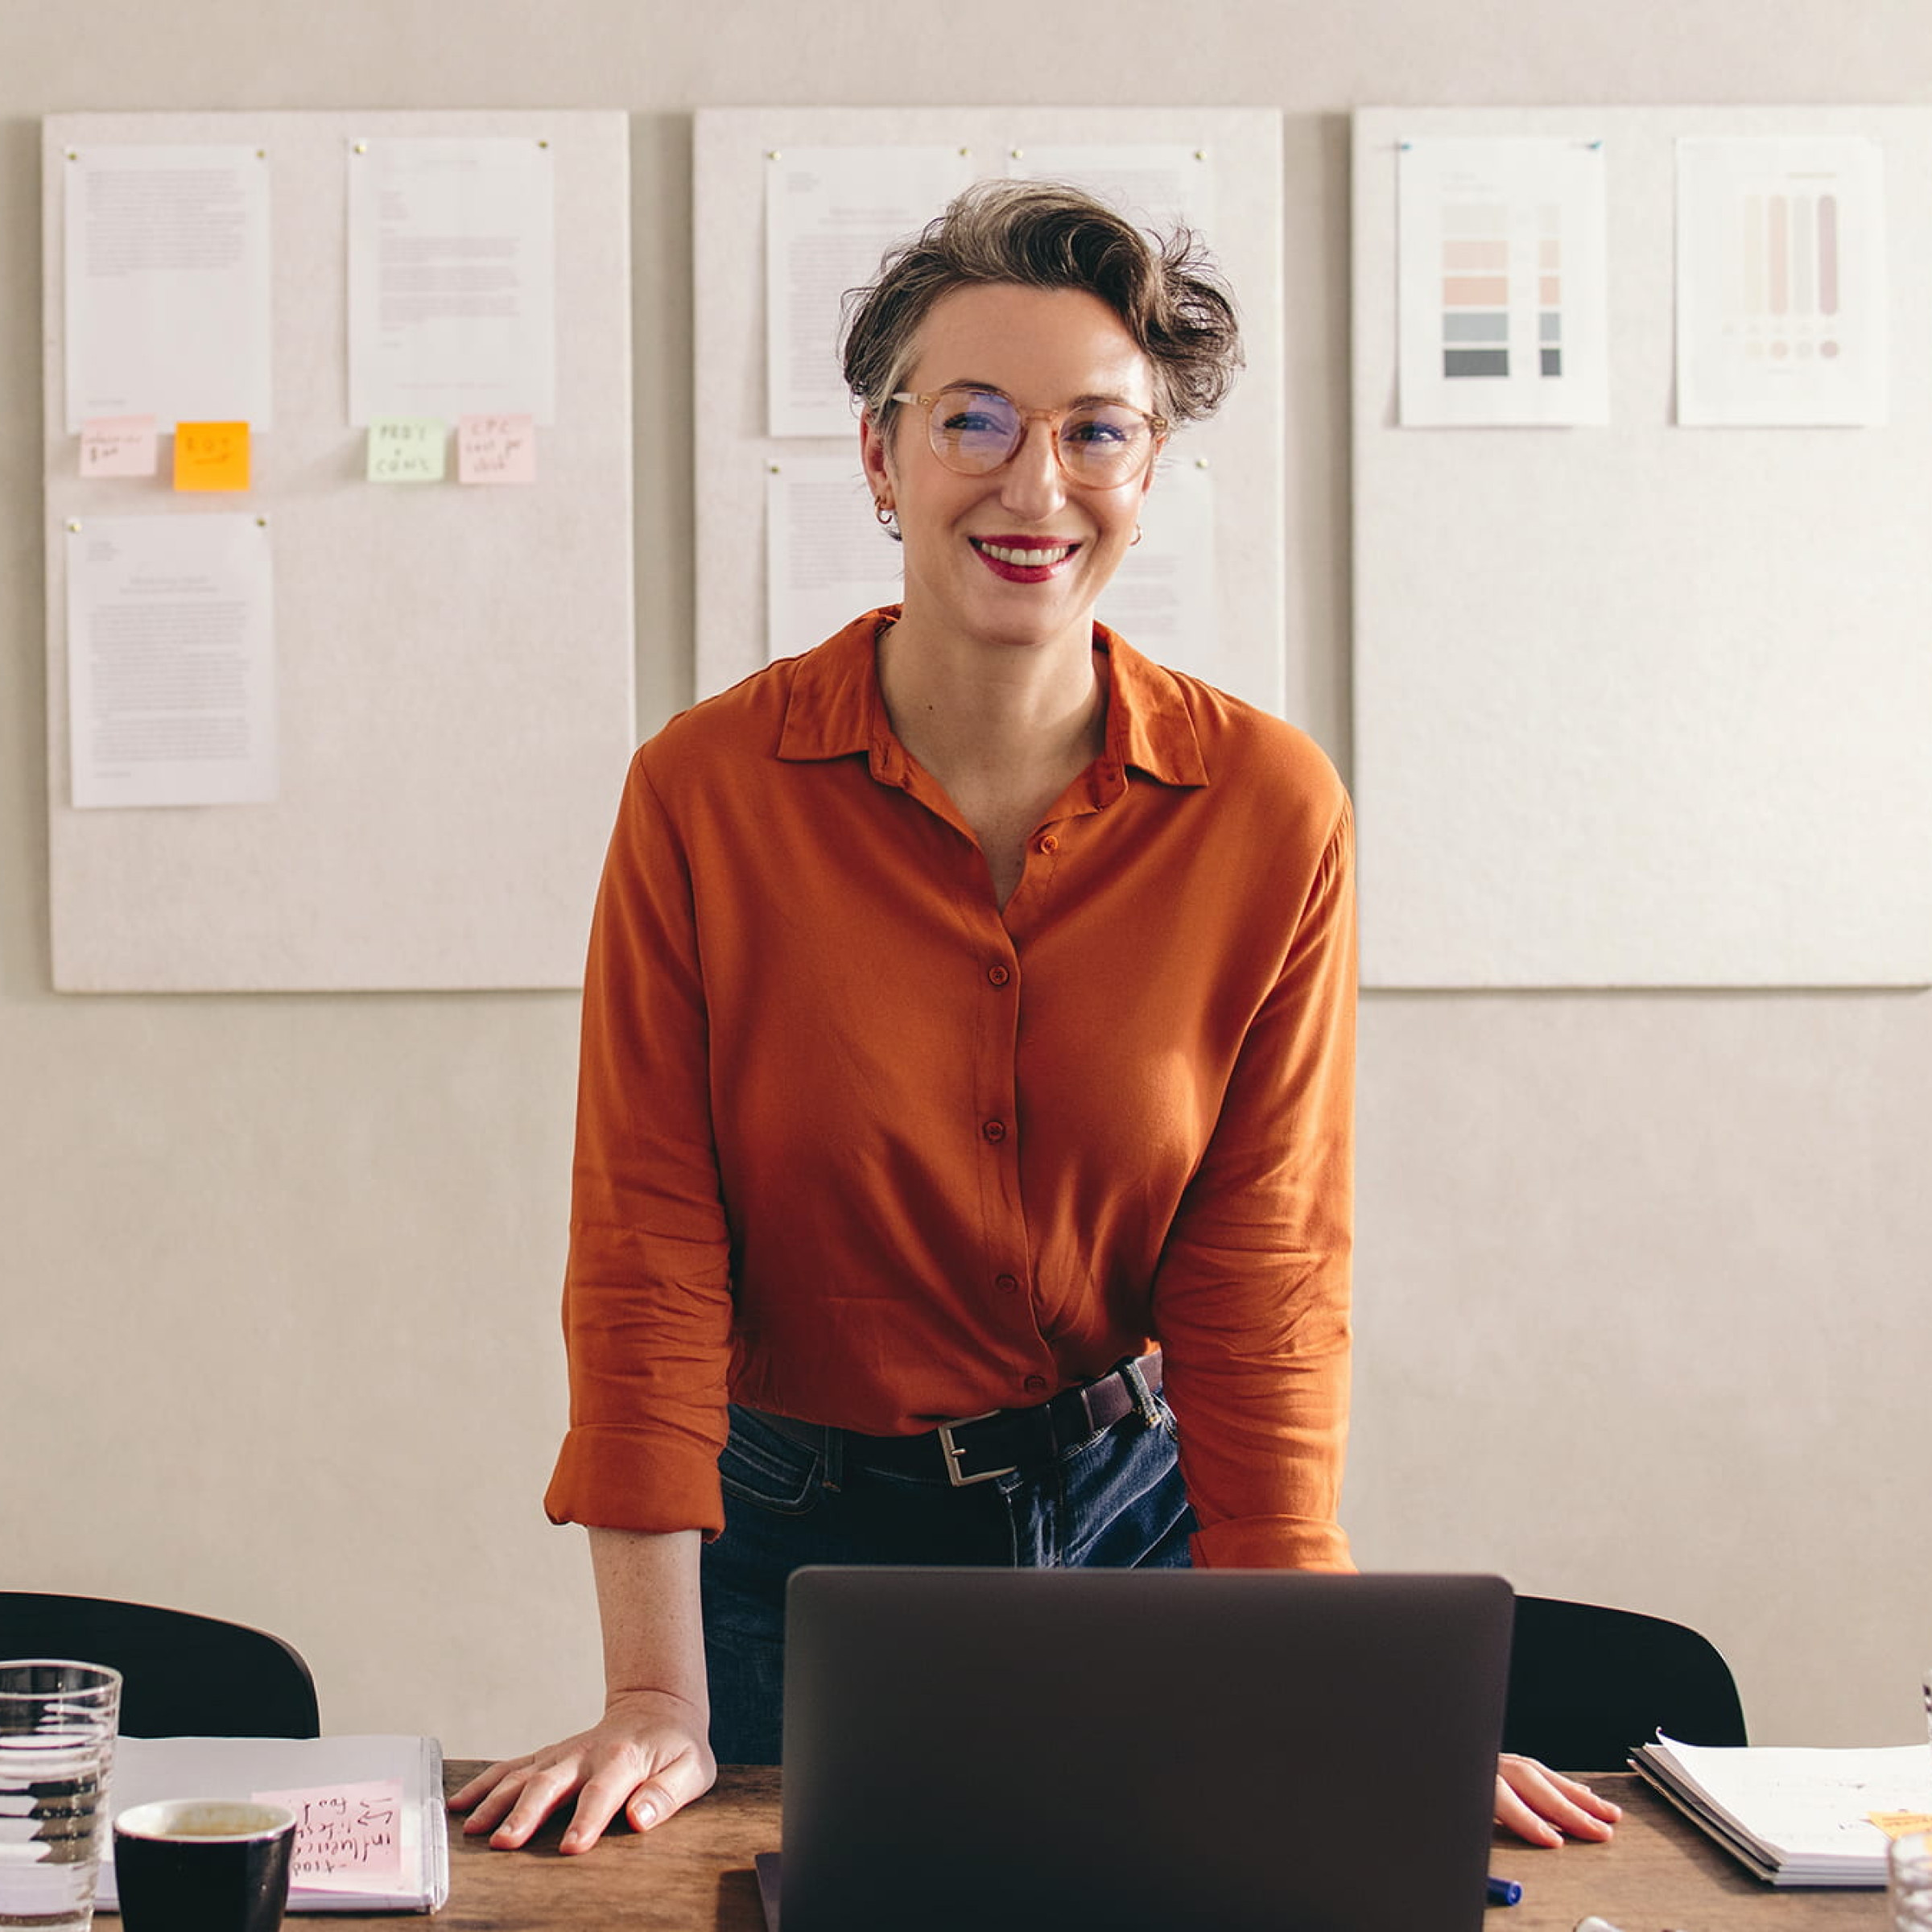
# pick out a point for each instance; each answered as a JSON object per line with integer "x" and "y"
{"x": 1796, "y": 1817}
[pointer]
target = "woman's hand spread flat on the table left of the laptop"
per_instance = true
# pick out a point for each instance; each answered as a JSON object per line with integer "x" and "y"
{"x": 646, "y": 1757}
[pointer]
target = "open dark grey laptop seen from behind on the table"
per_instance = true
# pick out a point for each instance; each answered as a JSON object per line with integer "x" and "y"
{"x": 1056, "y": 1751}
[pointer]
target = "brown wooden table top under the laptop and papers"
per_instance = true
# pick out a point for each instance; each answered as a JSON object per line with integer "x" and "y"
{"x": 695, "y": 1875}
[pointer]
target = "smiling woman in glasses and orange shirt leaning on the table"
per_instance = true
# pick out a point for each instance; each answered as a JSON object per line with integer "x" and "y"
{"x": 971, "y": 1004}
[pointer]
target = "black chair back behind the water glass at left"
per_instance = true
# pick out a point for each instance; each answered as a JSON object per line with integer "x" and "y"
{"x": 183, "y": 1676}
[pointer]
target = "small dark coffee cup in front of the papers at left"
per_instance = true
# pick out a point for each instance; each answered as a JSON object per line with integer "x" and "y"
{"x": 202, "y": 1865}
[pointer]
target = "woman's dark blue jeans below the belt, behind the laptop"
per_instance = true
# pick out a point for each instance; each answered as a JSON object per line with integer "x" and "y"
{"x": 1114, "y": 1502}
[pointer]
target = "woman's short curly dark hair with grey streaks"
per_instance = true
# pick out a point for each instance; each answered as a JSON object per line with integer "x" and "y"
{"x": 1048, "y": 235}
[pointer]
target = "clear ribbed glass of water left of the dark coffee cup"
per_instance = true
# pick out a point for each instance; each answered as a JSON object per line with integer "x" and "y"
{"x": 57, "y": 1757}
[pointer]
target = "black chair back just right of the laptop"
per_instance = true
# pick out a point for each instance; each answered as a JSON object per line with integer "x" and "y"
{"x": 1587, "y": 1684}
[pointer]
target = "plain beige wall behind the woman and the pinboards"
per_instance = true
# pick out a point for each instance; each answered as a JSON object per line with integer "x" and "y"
{"x": 1641, "y": 1276}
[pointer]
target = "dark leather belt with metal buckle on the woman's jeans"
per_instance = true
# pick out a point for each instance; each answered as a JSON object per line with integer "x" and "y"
{"x": 1002, "y": 1442}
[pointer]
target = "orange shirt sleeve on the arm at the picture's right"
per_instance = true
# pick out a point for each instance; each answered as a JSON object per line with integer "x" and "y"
{"x": 1253, "y": 1292}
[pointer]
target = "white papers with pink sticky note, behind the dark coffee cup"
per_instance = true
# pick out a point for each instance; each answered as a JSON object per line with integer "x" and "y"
{"x": 372, "y": 1834}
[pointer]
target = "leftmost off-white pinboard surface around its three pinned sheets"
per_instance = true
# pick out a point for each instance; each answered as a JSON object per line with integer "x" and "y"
{"x": 453, "y": 666}
